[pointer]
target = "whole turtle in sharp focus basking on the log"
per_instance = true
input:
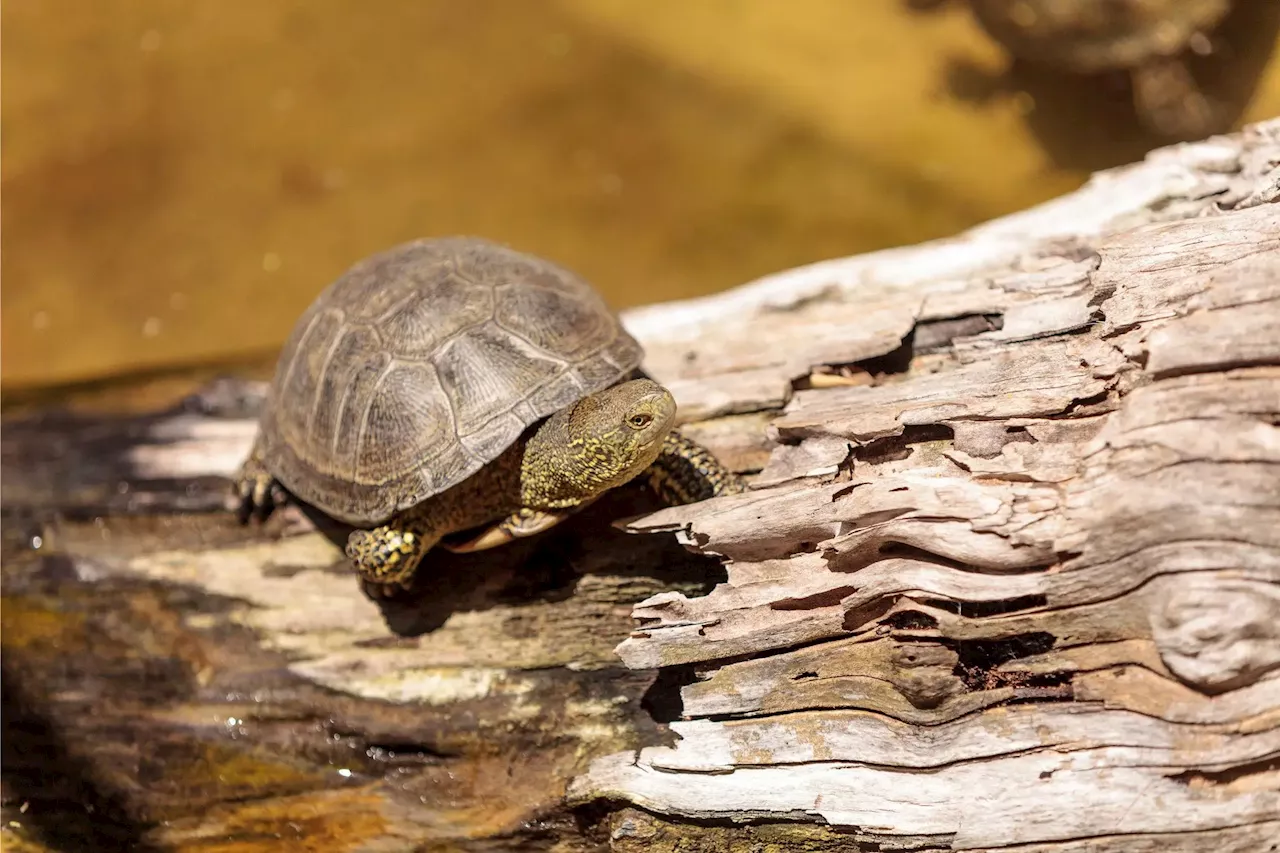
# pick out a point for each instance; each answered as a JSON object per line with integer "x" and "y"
{"x": 458, "y": 393}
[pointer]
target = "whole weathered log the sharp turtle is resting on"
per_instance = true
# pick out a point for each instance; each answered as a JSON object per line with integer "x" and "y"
{"x": 1009, "y": 577}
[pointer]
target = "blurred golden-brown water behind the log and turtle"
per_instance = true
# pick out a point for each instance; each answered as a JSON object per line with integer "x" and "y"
{"x": 182, "y": 177}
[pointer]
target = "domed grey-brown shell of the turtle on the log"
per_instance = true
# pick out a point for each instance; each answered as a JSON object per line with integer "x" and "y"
{"x": 424, "y": 363}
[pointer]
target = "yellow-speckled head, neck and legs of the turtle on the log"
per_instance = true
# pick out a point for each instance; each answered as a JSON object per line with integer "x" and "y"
{"x": 601, "y": 443}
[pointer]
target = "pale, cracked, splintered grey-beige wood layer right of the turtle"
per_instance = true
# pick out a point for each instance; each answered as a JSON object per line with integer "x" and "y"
{"x": 1023, "y": 589}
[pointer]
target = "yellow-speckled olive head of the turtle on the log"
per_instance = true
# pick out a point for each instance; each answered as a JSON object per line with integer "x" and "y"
{"x": 596, "y": 445}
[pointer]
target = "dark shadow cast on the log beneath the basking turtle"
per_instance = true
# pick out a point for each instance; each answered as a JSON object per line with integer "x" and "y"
{"x": 542, "y": 569}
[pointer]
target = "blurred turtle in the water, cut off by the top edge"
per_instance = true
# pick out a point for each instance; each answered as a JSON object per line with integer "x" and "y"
{"x": 1146, "y": 39}
